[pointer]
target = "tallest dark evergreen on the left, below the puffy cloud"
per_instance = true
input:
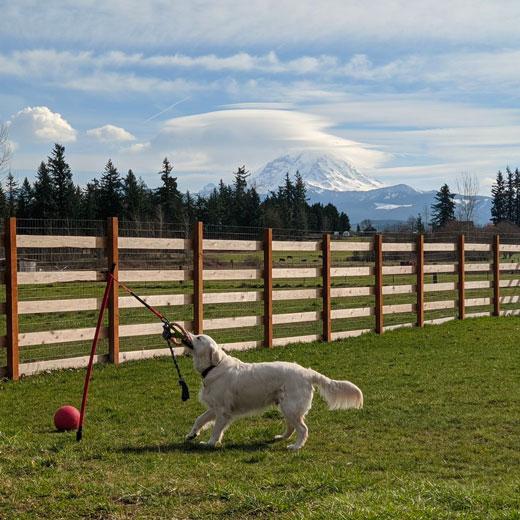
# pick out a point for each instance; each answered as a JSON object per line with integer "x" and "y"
{"x": 64, "y": 193}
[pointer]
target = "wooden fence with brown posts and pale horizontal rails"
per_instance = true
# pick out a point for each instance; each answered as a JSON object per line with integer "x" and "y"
{"x": 415, "y": 269}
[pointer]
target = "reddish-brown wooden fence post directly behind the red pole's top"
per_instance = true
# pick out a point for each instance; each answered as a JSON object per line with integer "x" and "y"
{"x": 113, "y": 302}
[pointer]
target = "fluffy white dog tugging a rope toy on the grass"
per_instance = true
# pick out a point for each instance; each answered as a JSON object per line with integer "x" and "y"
{"x": 232, "y": 389}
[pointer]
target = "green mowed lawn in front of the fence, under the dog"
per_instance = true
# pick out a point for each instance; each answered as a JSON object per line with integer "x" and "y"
{"x": 439, "y": 437}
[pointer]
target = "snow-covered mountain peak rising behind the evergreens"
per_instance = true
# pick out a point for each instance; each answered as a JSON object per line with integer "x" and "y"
{"x": 319, "y": 170}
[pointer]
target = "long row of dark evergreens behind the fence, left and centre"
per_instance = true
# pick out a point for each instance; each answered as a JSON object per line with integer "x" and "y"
{"x": 54, "y": 195}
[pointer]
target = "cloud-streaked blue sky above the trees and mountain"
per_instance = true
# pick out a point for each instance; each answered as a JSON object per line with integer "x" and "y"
{"x": 413, "y": 92}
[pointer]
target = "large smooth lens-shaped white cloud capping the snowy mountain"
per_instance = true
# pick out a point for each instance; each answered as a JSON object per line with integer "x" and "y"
{"x": 254, "y": 136}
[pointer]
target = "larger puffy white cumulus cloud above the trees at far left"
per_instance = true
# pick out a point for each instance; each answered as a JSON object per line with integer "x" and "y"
{"x": 40, "y": 124}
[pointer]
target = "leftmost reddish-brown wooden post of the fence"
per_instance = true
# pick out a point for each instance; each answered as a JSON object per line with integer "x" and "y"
{"x": 11, "y": 299}
